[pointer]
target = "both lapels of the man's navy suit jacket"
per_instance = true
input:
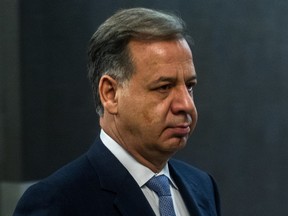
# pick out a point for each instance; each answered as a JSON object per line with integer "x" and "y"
{"x": 129, "y": 198}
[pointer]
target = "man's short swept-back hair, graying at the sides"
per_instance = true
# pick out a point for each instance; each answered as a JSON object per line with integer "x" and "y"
{"x": 108, "y": 51}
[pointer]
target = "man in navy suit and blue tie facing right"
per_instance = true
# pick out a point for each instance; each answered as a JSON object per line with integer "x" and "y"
{"x": 142, "y": 74}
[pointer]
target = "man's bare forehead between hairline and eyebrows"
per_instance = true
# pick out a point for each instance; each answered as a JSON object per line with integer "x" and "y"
{"x": 155, "y": 58}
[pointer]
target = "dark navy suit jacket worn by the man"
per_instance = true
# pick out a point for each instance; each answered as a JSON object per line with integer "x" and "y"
{"x": 98, "y": 184}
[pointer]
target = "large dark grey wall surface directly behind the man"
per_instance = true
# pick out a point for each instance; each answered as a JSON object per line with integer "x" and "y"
{"x": 240, "y": 54}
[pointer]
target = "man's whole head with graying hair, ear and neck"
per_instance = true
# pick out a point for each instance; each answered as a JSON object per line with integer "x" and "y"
{"x": 142, "y": 72}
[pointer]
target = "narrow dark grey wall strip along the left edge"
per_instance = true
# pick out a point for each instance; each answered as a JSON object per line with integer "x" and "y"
{"x": 10, "y": 107}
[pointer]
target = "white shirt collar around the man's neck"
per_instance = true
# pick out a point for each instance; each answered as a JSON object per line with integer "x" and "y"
{"x": 140, "y": 173}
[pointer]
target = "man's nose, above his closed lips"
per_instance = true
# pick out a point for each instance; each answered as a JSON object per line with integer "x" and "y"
{"x": 183, "y": 102}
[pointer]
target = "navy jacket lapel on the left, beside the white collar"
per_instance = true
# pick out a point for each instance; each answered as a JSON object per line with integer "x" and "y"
{"x": 115, "y": 179}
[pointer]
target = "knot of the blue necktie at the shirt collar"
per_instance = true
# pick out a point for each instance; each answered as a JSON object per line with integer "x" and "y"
{"x": 160, "y": 185}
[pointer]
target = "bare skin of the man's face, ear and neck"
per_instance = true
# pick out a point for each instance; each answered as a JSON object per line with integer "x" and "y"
{"x": 152, "y": 114}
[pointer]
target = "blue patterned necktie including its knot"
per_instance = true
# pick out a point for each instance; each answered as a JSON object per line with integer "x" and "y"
{"x": 160, "y": 185}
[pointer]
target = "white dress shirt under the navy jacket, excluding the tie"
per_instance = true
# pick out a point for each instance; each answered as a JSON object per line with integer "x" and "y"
{"x": 142, "y": 174}
